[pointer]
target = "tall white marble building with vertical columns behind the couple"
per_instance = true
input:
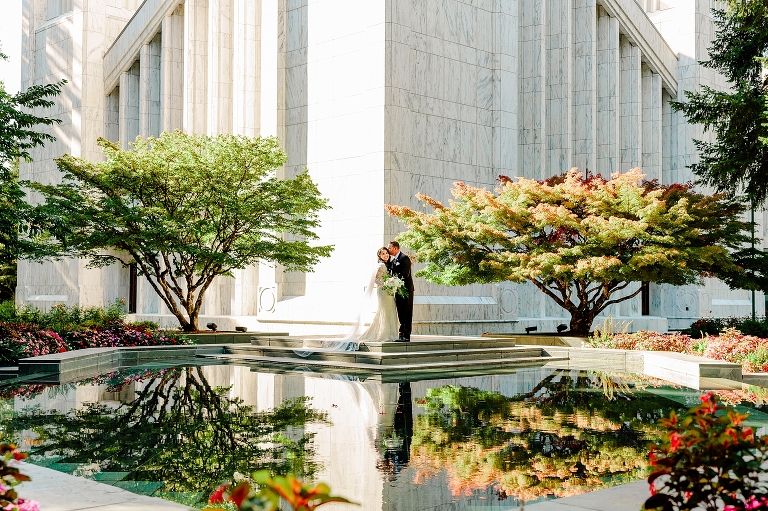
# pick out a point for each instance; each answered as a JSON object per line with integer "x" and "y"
{"x": 380, "y": 100}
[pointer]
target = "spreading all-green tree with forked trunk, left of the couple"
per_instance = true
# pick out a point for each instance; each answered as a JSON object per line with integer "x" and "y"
{"x": 185, "y": 209}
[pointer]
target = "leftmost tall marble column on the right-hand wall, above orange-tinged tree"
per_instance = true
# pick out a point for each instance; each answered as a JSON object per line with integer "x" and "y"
{"x": 532, "y": 130}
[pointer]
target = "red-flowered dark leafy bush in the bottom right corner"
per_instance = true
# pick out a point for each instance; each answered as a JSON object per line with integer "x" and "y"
{"x": 708, "y": 460}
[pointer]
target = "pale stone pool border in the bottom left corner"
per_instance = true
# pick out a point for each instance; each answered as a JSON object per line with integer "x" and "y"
{"x": 56, "y": 491}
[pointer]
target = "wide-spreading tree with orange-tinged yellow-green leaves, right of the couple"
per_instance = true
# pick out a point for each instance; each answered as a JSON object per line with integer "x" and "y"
{"x": 579, "y": 240}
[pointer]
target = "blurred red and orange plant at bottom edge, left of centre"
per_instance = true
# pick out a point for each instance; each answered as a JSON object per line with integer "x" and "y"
{"x": 300, "y": 496}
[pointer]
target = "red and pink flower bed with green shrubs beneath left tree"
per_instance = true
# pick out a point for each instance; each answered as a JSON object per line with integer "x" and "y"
{"x": 31, "y": 333}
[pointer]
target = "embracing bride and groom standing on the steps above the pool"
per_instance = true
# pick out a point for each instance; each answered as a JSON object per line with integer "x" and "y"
{"x": 391, "y": 309}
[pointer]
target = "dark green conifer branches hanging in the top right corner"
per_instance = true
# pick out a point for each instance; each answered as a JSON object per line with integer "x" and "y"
{"x": 737, "y": 159}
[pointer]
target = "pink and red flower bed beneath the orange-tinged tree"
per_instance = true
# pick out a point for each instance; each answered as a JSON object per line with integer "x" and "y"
{"x": 730, "y": 346}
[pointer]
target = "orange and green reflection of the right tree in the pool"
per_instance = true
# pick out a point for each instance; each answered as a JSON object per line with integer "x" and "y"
{"x": 562, "y": 438}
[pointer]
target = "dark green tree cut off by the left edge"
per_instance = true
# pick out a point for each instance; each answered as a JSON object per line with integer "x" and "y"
{"x": 18, "y": 136}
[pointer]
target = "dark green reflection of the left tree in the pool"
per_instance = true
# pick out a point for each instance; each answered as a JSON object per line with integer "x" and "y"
{"x": 182, "y": 431}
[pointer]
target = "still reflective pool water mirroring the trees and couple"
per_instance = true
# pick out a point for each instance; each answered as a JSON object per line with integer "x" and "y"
{"x": 445, "y": 443}
